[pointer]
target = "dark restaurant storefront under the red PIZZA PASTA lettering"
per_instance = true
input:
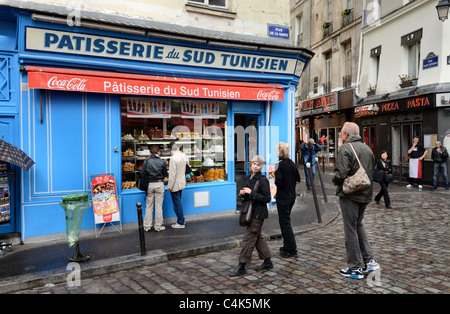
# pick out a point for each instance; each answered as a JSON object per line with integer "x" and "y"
{"x": 391, "y": 125}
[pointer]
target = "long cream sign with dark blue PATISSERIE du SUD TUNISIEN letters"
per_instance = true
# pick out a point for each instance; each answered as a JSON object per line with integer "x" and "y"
{"x": 47, "y": 40}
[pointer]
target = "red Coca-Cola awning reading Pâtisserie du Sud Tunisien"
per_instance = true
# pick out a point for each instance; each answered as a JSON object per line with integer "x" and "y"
{"x": 136, "y": 84}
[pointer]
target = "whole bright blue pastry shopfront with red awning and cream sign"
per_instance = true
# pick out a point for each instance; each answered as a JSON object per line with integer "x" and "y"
{"x": 83, "y": 101}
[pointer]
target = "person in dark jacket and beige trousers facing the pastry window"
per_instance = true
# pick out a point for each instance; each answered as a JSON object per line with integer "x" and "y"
{"x": 156, "y": 169}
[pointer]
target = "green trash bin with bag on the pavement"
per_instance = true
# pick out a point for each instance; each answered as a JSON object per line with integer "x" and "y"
{"x": 74, "y": 206}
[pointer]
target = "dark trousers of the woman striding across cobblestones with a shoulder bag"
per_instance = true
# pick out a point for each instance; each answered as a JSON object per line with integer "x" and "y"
{"x": 254, "y": 239}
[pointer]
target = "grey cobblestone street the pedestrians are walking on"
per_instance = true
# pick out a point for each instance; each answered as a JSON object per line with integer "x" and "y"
{"x": 410, "y": 241}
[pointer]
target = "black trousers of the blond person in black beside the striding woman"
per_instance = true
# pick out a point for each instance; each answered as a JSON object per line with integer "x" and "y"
{"x": 284, "y": 207}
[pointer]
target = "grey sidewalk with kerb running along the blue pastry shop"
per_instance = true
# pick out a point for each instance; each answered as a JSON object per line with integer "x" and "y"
{"x": 34, "y": 265}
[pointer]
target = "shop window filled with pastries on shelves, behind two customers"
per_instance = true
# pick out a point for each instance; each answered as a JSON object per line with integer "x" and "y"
{"x": 196, "y": 126}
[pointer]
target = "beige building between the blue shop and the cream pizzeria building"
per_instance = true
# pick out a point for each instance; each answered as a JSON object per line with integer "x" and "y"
{"x": 326, "y": 95}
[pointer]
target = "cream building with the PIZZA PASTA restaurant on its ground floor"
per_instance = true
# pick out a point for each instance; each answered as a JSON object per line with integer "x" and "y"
{"x": 404, "y": 81}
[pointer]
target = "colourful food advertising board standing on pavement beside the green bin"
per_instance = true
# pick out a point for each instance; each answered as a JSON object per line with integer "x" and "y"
{"x": 104, "y": 199}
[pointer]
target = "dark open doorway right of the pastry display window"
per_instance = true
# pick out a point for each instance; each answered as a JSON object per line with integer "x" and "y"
{"x": 245, "y": 145}
